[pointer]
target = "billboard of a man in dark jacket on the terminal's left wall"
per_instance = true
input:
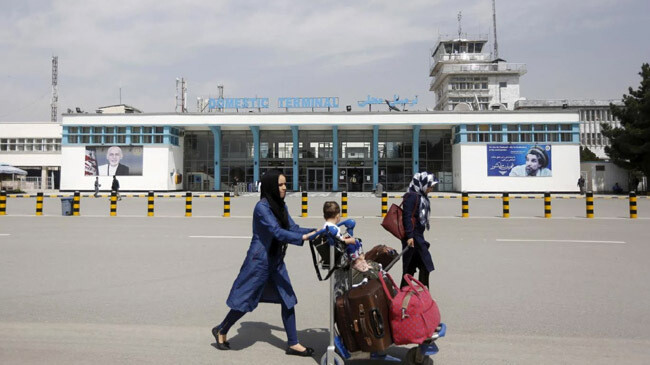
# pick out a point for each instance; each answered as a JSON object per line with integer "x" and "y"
{"x": 113, "y": 160}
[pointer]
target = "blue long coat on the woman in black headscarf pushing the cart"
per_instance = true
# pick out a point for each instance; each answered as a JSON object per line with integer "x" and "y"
{"x": 264, "y": 277}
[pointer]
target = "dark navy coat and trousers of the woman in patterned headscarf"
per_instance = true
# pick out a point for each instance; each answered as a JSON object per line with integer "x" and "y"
{"x": 418, "y": 257}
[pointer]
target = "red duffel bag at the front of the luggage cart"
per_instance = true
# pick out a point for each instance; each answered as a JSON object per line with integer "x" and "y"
{"x": 414, "y": 315}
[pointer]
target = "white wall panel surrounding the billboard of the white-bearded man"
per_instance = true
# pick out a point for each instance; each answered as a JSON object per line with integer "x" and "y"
{"x": 158, "y": 164}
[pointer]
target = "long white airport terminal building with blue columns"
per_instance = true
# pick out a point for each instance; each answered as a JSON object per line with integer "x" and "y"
{"x": 475, "y": 151}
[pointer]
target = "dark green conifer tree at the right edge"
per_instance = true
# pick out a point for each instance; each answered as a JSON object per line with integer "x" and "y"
{"x": 630, "y": 144}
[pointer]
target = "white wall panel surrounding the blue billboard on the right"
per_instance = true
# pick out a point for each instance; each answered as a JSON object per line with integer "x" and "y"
{"x": 471, "y": 160}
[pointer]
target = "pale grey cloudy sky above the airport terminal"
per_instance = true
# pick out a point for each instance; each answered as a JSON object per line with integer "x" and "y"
{"x": 581, "y": 49}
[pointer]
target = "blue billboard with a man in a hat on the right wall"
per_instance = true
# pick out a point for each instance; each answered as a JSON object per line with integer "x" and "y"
{"x": 519, "y": 160}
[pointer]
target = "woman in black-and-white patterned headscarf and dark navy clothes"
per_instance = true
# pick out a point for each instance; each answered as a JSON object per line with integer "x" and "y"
{"x": 416, "y": 210}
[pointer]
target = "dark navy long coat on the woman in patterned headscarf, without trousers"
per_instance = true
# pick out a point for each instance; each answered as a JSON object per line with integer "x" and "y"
{"x": 421, "y": 246}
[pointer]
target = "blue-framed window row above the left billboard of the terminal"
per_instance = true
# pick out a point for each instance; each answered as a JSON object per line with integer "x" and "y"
{"x": 121, "y": 135}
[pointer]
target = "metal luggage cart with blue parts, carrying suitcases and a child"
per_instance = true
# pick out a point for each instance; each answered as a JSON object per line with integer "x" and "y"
{"x": 332, "y": 259}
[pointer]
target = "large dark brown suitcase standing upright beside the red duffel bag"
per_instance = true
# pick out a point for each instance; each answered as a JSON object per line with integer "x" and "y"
{"x": 362, "y": 318}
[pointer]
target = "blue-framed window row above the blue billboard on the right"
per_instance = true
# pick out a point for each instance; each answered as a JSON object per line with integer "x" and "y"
{"x": 480, "y": 133}
